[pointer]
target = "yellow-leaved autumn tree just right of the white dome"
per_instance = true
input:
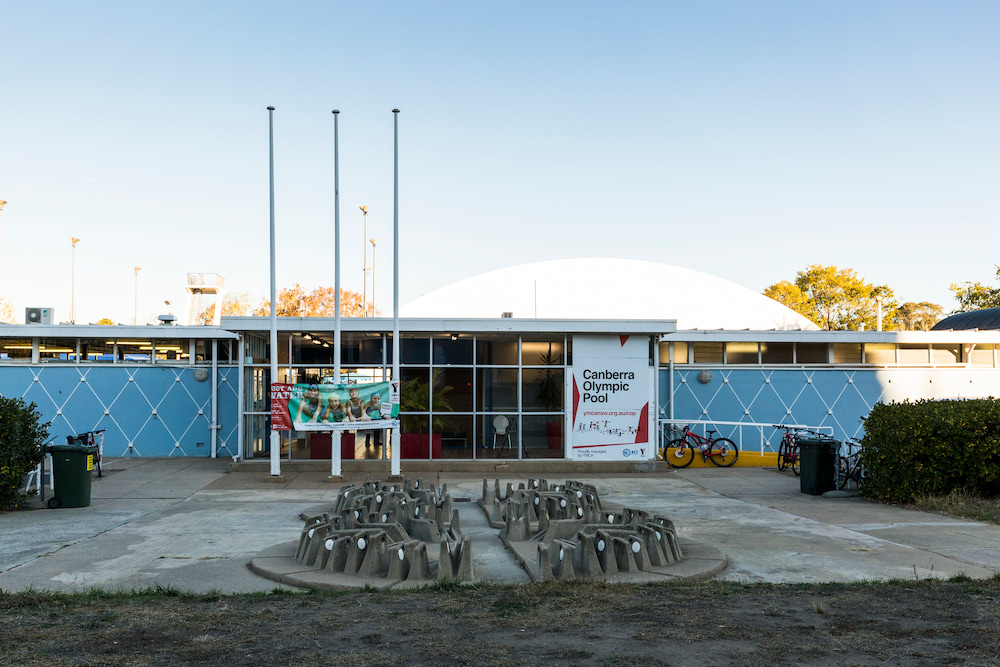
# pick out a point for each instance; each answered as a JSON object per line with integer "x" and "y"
{"x": 835, "y": 299}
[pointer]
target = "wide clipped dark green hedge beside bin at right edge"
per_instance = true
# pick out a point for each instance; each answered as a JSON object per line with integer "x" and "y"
{"x": 932, "y": 448}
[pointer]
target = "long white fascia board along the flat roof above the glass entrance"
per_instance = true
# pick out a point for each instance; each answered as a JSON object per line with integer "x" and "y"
{"x": 454, "y": 325}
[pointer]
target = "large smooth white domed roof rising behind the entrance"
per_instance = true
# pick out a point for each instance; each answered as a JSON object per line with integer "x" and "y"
{"x": 609, "y": 289}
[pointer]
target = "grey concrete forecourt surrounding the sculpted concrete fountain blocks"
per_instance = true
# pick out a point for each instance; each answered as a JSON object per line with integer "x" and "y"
{"x": 191, "y": 524}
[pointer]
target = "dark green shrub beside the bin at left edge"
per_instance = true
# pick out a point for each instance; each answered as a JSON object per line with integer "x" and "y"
{"x": 21, "y": 440}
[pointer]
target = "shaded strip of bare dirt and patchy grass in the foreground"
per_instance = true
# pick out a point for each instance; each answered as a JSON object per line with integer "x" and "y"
{"x": 924, "y": 622}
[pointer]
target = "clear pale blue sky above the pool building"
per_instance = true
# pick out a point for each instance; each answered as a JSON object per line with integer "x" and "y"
{"x": 743, "y": 139}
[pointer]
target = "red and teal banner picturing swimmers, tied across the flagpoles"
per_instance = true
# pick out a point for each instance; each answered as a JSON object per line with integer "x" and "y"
{"x": 335, "y": 407}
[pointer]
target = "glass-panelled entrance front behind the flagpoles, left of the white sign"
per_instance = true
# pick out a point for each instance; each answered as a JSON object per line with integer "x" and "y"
{"x": 453, "y": 389}
